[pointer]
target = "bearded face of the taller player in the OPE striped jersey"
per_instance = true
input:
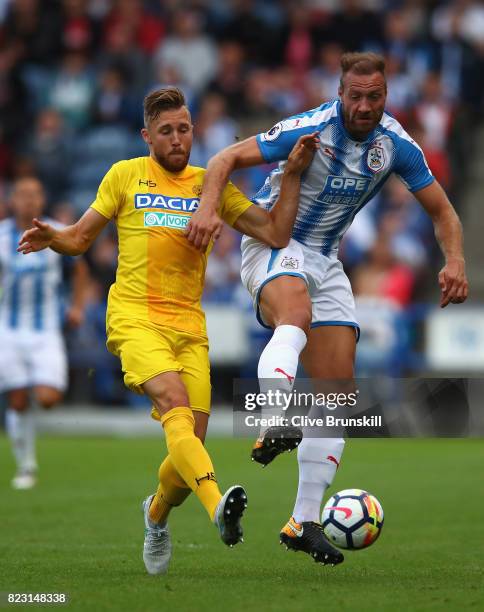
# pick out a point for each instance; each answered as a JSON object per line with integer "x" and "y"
{"x": 363, "y": 99}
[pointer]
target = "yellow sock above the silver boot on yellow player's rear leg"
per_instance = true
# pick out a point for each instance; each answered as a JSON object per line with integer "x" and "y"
{"x": 172, "y": 491}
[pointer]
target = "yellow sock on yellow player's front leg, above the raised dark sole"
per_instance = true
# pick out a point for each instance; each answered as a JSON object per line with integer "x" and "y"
{"x": 190, "y": 457}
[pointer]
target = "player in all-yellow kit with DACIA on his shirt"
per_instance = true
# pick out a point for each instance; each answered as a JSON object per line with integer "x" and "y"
{"x": 155, "y": 323}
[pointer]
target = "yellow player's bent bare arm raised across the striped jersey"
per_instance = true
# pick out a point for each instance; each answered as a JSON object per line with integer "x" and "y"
{"x": 274, "y": 227}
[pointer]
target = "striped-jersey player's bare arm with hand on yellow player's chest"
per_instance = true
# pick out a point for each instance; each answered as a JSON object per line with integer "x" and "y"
{"x": 205, "y": 224}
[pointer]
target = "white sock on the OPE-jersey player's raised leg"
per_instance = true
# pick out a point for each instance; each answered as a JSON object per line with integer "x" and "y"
{"x": 278, "y": 364}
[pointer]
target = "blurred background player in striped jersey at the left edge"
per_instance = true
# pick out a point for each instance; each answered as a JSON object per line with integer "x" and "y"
{"x": 33, "y": 362}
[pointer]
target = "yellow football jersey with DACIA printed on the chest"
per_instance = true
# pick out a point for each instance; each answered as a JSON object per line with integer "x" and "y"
{"x": 160, "y": 275}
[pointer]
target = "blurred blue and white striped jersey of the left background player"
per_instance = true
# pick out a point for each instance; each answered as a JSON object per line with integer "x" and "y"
{"x": 30, "y": 285}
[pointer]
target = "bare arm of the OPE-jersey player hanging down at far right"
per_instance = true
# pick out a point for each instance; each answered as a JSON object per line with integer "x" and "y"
{"x": 448, "y": 231}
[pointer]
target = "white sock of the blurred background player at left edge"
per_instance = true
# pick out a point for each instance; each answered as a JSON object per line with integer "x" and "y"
{"x": 21, "y": 431}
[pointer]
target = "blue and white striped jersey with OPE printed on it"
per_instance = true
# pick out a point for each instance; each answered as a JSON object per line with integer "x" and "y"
{"x": 344, "y": 174}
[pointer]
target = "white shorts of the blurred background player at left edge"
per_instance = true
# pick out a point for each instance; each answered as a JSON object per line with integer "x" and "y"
{"x": 30, "y": 359}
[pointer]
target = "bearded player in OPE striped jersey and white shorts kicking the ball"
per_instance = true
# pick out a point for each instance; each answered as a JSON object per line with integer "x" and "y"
{"x": 301, "y": 291}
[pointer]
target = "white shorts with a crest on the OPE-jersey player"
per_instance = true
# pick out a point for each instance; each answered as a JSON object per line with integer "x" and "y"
{"x": 328, "y": 286}
